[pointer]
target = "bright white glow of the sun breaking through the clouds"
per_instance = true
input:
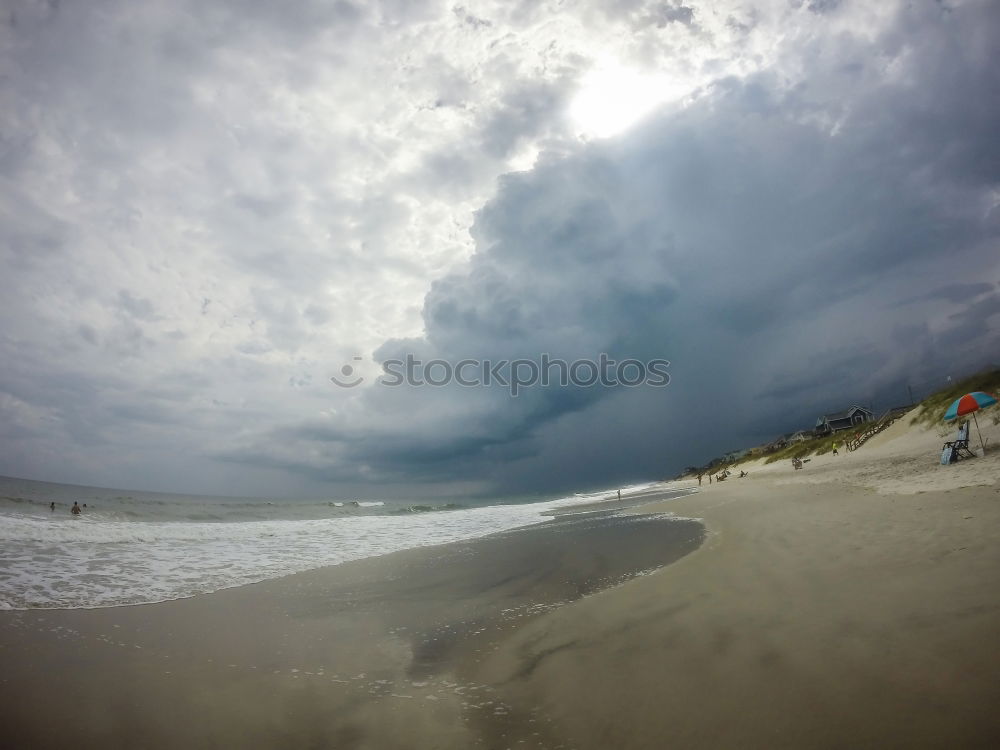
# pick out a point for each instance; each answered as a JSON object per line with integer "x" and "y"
{"x": 612, "y": 97}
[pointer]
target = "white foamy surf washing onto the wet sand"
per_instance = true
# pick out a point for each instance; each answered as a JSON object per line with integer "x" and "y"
{"x": 91, "y": 561}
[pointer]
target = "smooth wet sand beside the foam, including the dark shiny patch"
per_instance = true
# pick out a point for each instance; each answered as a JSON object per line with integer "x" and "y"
{"x": 380, "y": 653}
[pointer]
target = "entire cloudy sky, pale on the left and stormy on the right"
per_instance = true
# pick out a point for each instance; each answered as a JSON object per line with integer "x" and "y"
{"x": 209, "y": 210}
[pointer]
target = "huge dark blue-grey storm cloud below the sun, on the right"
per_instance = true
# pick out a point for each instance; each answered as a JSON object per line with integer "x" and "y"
{"x": 714, "y": 236}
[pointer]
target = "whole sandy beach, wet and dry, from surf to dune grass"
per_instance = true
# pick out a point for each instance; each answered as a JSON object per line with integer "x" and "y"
{"x": 850, "y": 604}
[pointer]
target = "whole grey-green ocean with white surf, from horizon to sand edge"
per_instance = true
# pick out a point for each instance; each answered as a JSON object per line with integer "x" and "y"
{"x": 140, "y": 547}
